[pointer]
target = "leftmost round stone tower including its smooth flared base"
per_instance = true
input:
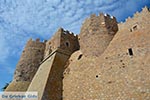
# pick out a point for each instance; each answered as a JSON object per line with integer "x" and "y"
{"x": 28, "y": 65}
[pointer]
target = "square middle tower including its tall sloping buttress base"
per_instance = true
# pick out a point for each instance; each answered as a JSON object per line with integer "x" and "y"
{"x": 57, "y": 53}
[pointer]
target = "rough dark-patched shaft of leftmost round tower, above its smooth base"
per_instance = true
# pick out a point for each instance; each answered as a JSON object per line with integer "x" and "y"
{"x": 30, "y": 60}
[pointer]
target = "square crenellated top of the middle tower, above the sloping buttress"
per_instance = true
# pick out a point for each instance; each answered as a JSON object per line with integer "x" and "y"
{"x": 63, "y": 39}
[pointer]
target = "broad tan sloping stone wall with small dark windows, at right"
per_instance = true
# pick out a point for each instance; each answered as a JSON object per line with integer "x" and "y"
{"x": 115, "y": 75}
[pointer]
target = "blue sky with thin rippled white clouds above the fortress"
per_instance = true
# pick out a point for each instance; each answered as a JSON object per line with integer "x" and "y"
{"x": 24, "y": 19}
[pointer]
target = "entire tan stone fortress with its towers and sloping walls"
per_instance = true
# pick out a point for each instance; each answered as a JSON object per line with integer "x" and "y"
{"x": 103, "y": 62}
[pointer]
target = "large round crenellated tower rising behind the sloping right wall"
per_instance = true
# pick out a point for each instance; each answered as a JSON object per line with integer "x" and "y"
{"x": 96, "y": 34}
